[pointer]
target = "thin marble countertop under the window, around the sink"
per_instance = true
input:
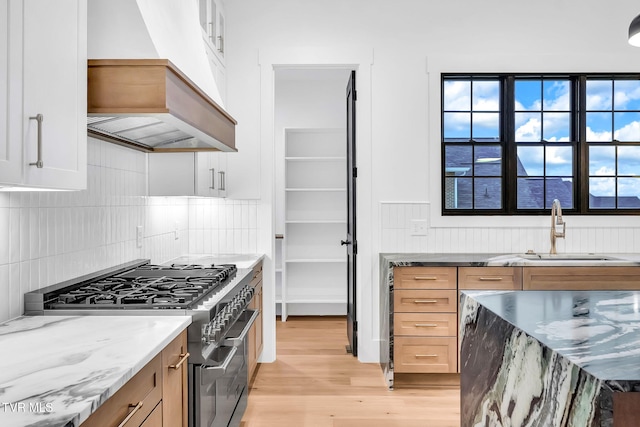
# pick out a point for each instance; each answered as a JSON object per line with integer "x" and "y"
{"x": 508, "y": 260}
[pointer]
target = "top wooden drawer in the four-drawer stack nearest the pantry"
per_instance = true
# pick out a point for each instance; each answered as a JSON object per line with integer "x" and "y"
{"x": 424, "y": 277}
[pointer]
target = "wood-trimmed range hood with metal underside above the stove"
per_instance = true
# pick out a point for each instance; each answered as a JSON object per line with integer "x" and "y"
{"x": 150, "y": 105}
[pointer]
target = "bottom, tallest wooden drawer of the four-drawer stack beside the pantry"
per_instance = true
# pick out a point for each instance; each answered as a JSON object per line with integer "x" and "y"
{"x": 425, "y": 355}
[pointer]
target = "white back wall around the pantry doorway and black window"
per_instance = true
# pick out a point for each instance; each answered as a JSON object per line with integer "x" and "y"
{"x": 411, "y": 42}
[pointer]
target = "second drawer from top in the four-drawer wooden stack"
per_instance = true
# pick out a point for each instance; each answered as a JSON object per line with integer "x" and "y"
{"x": 416, "y": 300}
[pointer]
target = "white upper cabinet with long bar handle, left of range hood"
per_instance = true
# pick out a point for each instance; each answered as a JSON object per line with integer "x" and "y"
{"x": 43, "y": 94}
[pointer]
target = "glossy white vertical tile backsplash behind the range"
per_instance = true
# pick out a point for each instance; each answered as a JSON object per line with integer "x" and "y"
{"x": 49, "y": 237}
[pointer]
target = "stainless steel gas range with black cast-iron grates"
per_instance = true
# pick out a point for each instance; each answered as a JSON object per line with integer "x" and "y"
{"x": 215, "y": 296}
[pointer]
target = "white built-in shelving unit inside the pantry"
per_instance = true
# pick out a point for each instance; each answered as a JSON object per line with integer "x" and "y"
{"x": 314, "y": 268}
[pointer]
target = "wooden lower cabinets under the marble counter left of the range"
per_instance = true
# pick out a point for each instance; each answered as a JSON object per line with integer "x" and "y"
{"x": 157, "y": 396}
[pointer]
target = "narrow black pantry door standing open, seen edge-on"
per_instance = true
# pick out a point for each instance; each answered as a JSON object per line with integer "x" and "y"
{"x": 351, "y": 242}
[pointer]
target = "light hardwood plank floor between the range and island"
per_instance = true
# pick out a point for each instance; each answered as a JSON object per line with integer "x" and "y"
{"x": 315, "y": 383}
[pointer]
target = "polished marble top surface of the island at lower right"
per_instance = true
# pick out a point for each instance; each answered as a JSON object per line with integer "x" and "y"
{"x": 598, "y": 331}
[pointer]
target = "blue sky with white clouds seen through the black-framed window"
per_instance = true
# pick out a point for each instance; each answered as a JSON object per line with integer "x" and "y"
{"x": 542, "y": 113}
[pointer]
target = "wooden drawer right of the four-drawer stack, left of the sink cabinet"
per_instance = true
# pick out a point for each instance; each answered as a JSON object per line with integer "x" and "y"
{"x": 490, "y": 278}
